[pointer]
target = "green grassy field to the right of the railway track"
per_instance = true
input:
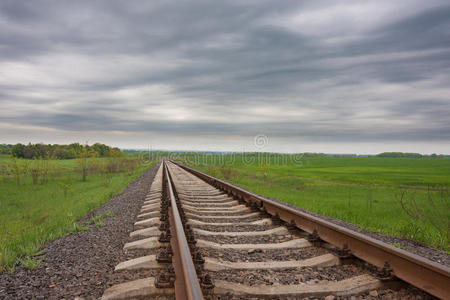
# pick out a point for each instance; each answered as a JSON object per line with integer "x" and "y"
{"x": 361, "y": 190}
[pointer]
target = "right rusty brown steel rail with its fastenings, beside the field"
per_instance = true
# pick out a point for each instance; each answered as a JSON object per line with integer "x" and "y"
{"x": 416, "y": 270}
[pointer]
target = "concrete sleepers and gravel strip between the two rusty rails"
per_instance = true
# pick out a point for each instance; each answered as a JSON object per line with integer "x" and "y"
{"x": 231, "y": 278}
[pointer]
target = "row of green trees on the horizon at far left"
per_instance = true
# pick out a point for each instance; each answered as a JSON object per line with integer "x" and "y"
{"x": 57, "y": 151}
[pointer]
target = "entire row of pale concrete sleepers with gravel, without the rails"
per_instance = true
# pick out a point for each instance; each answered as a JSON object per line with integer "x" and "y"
{"x": 240, "y": 251}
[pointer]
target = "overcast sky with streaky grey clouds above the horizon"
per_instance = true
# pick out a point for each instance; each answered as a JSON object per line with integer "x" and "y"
{"x": 322, "y": 76}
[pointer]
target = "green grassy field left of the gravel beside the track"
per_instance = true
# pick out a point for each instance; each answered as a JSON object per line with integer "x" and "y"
{"x": 34, "y": 213}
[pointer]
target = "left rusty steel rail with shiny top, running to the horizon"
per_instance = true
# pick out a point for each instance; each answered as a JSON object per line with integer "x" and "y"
{"x": 187, "y": 285}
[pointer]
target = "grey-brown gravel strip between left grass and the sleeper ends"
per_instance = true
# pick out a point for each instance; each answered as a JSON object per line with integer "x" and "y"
{"x": 82, "y": 264}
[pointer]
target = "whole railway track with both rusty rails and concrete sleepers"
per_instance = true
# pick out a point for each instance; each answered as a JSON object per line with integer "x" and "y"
{"x": 200, "y": 237}
